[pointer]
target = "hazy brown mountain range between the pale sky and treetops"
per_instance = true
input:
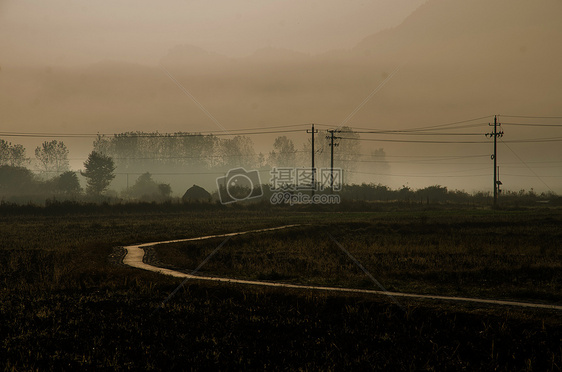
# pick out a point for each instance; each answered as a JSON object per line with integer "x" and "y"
{"x": 456, "y": 59}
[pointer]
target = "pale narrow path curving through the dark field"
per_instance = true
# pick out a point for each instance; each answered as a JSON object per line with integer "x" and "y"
{"x": 135, "y": 254}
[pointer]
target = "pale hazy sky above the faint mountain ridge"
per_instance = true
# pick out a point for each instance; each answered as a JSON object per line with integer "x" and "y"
{"x": 65, "y": 32}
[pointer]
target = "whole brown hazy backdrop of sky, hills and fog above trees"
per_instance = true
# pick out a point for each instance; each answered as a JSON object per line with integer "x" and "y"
{"x": 75, "y": 67}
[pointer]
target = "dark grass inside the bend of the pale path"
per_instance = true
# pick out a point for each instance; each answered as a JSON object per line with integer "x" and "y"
{"x": 514, "y": 257}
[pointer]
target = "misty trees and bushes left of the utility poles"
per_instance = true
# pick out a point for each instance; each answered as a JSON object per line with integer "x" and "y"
{"x": 137, "y": 153}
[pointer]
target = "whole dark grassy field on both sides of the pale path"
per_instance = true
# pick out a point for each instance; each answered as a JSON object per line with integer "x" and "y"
{"x": 67, "y": 303}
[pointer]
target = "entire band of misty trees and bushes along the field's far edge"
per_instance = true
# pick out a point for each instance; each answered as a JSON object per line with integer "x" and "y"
{"x": 143, "y": 154}
